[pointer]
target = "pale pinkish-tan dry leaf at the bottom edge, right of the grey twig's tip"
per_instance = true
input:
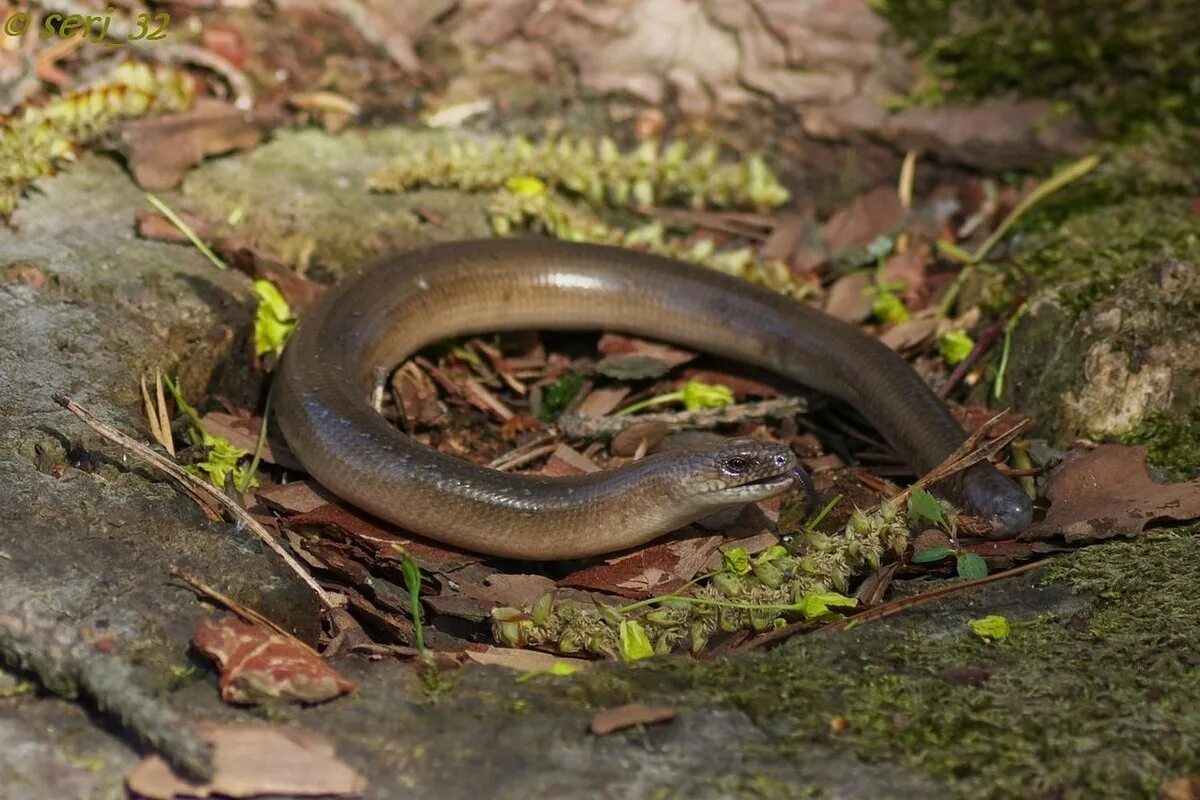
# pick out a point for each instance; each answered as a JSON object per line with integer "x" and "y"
{"x": 256, "y": 760}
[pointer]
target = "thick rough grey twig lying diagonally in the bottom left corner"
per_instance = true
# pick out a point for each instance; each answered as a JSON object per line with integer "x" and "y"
{"x": 69, "y": 664}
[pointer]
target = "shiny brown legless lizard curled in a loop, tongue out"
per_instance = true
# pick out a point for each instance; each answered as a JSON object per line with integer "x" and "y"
{"x": 403, "y": 304}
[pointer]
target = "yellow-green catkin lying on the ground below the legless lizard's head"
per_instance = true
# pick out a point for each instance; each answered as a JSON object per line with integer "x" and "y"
{"x": 752, "y": 594}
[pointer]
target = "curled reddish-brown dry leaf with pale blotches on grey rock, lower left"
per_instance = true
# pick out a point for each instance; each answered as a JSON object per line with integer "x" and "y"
{"x": 259, "y": 665}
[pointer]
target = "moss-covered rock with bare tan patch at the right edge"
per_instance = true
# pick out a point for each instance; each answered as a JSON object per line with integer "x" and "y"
{"x": 1112, "y": 340}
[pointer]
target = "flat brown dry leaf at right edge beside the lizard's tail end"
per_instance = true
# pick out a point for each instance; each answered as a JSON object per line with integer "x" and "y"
{"x": 1108, "y": 492}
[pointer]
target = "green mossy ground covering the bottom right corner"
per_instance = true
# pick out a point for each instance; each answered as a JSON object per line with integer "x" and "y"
{"x": 1099, "y": 700}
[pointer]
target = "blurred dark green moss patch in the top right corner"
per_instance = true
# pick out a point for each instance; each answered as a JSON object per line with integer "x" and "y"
{"x": 1129, "y": 67}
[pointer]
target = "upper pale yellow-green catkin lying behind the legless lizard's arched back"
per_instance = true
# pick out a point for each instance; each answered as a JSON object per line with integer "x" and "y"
{"x": 598, "y": 171}
